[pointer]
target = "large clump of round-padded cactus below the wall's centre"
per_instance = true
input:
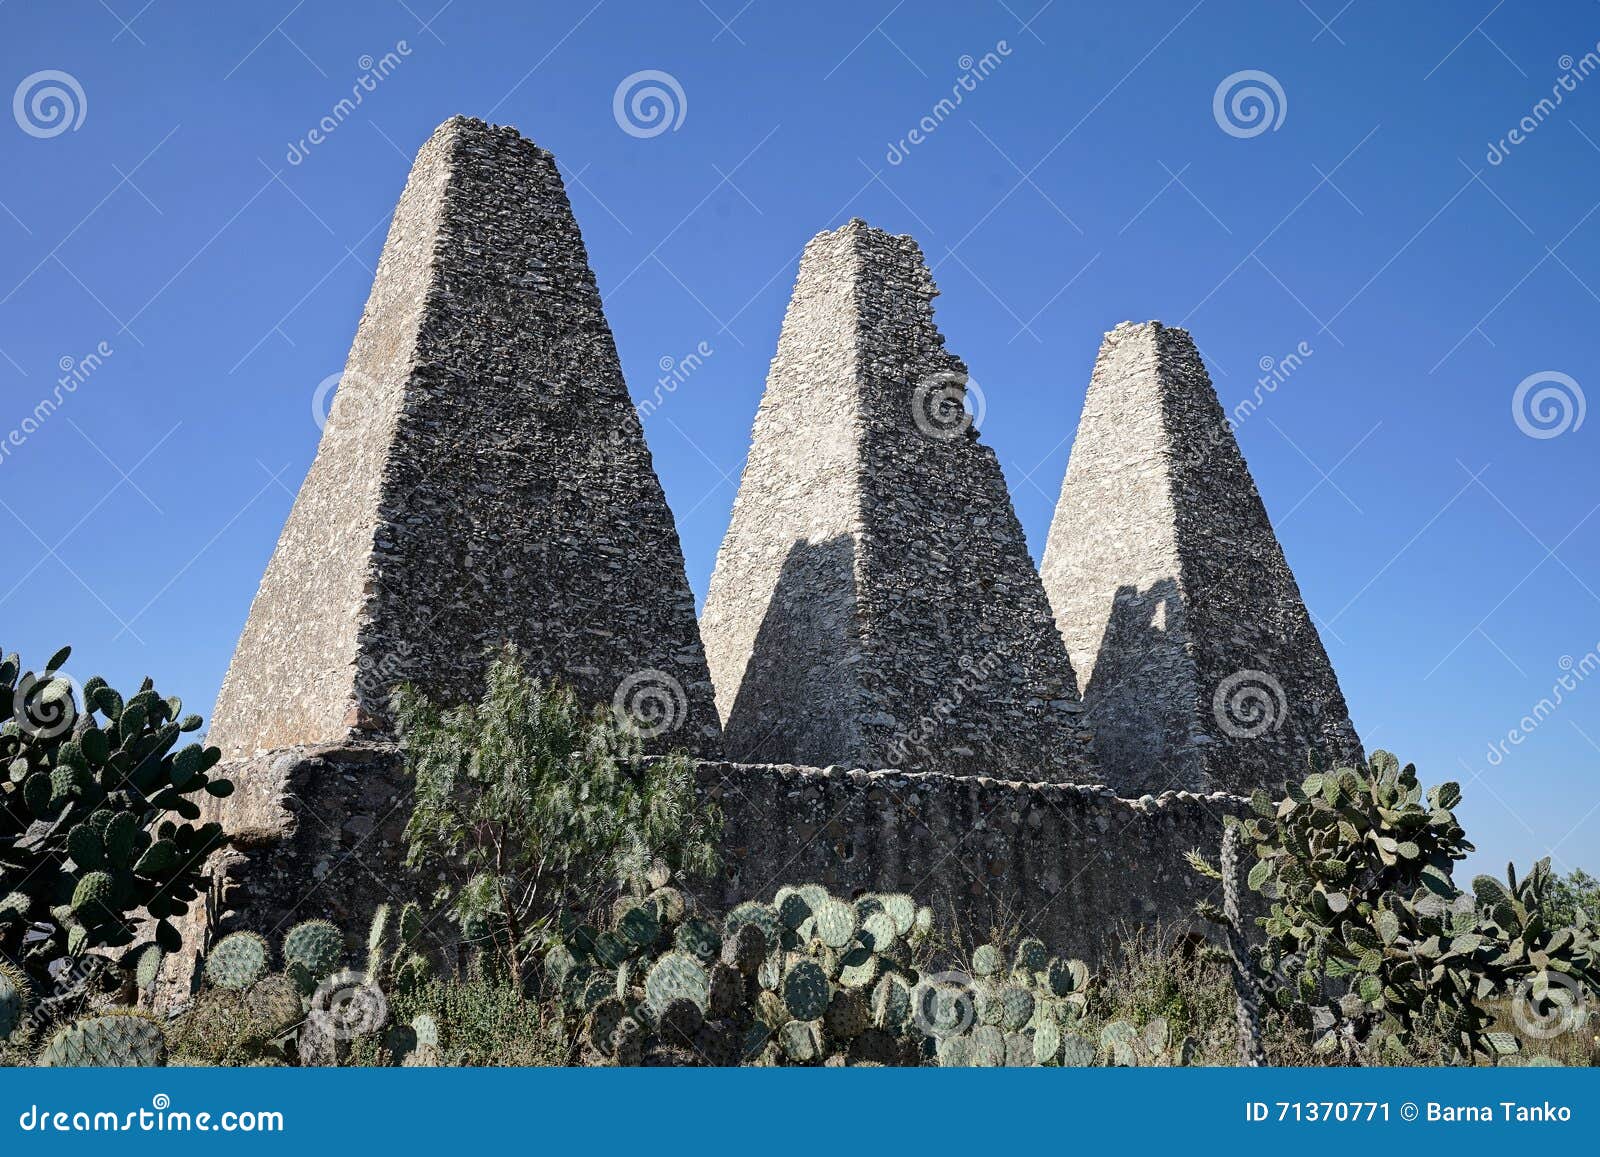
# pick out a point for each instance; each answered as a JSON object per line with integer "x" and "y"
{"x": 807, "y": 980}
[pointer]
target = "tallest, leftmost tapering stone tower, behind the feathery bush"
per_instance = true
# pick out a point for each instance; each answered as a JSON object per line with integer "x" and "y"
{"x": 481, "y": 479}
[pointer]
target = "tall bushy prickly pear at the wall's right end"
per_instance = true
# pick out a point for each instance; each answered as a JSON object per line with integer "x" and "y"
{"x": 1370, "y": 945}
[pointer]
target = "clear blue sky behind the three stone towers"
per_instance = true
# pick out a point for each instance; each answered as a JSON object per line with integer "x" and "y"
{"x": 212, "y": 282}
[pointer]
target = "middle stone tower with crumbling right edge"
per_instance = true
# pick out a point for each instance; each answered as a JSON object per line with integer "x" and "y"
{"x": 874, "y": 603}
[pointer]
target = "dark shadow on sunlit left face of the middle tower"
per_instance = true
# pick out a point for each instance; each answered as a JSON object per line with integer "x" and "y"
{"x": 802, "y": 713}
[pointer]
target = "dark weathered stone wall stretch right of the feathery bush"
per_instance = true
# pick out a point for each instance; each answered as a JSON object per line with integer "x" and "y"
{"x": 1073, "y": 865}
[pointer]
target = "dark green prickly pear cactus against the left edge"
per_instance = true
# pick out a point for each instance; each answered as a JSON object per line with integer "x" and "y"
{"x": 98, "y": 817}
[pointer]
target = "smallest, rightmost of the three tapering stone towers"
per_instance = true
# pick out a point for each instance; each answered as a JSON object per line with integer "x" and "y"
{"x": 1202, "y": 668}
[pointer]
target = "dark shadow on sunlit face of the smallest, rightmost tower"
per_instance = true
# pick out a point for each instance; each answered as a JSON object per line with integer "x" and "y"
{"x": 1142, "y": 697}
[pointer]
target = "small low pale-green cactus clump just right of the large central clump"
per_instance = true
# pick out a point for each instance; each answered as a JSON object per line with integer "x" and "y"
{"x": 1025, "y": 1015}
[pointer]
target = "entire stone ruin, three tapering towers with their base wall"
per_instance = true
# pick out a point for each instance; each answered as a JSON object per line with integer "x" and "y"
{"x": 484, "y": 479}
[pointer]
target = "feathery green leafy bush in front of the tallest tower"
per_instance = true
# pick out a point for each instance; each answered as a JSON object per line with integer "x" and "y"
{"x": 529, "y": 807}
